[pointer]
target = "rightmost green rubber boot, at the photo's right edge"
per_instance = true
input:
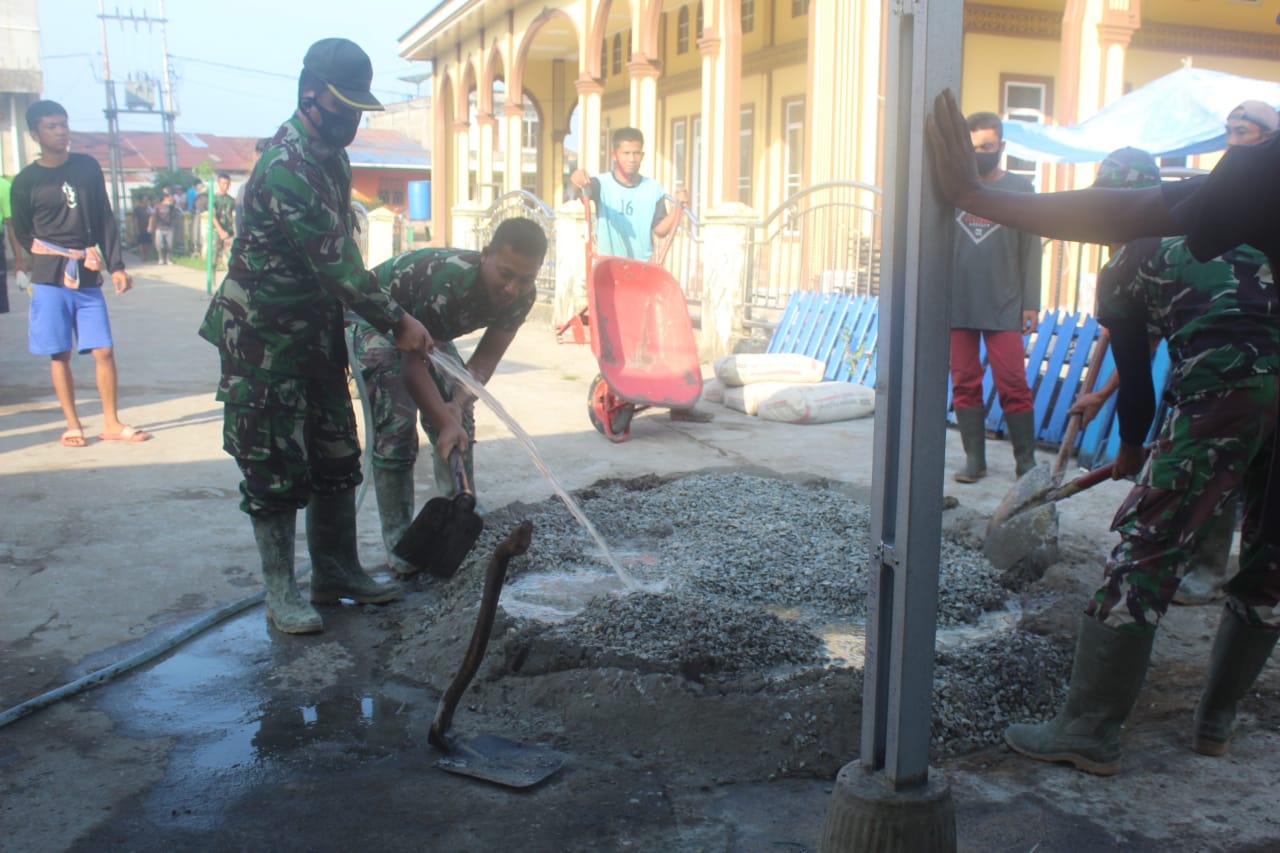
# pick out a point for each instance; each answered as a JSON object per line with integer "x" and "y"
{"x": 1240, "y": 654}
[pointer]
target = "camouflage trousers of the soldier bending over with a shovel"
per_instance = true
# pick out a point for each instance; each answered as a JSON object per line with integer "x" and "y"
{"x": 396, "y": 416}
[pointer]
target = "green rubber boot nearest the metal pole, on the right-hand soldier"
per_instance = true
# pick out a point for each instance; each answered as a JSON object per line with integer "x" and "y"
{"x": 1107, "y": 677}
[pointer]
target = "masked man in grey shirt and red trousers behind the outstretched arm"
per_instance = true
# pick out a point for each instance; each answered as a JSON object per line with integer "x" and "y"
{"x": 995, "y": 298}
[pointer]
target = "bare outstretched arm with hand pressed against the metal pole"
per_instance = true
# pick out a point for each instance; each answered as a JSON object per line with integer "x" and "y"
{"x": 1091, "y": 216}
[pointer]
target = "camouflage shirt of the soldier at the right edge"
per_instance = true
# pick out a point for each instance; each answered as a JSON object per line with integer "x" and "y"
{"x": 1222, "y": 318}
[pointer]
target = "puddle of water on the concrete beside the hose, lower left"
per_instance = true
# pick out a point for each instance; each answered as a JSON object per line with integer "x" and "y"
{"x": 235, "y": 731}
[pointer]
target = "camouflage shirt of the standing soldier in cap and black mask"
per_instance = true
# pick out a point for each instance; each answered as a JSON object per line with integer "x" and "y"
{"x": 296, "y": 264}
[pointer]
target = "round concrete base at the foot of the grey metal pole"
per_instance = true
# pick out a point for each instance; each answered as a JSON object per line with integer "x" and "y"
{"x": 866, "y": 814}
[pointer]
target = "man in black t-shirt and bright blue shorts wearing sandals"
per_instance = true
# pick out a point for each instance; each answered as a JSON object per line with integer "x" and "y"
{"x": 62, "y": 216}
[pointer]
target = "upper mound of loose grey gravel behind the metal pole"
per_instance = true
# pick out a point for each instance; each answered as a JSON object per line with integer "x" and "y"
{"x": 744, "y": 540}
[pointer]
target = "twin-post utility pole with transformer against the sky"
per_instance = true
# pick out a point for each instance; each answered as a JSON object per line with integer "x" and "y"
{"x": 139, "y": 102}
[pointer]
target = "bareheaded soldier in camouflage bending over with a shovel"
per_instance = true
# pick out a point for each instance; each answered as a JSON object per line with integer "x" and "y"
{"x": 452, "y": 293}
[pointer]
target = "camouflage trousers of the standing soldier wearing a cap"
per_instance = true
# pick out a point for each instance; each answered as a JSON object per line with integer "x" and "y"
{"x": 291, "y": 436}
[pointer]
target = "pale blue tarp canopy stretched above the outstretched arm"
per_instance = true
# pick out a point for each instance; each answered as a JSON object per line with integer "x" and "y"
{"x": 1182, "y": 113}
